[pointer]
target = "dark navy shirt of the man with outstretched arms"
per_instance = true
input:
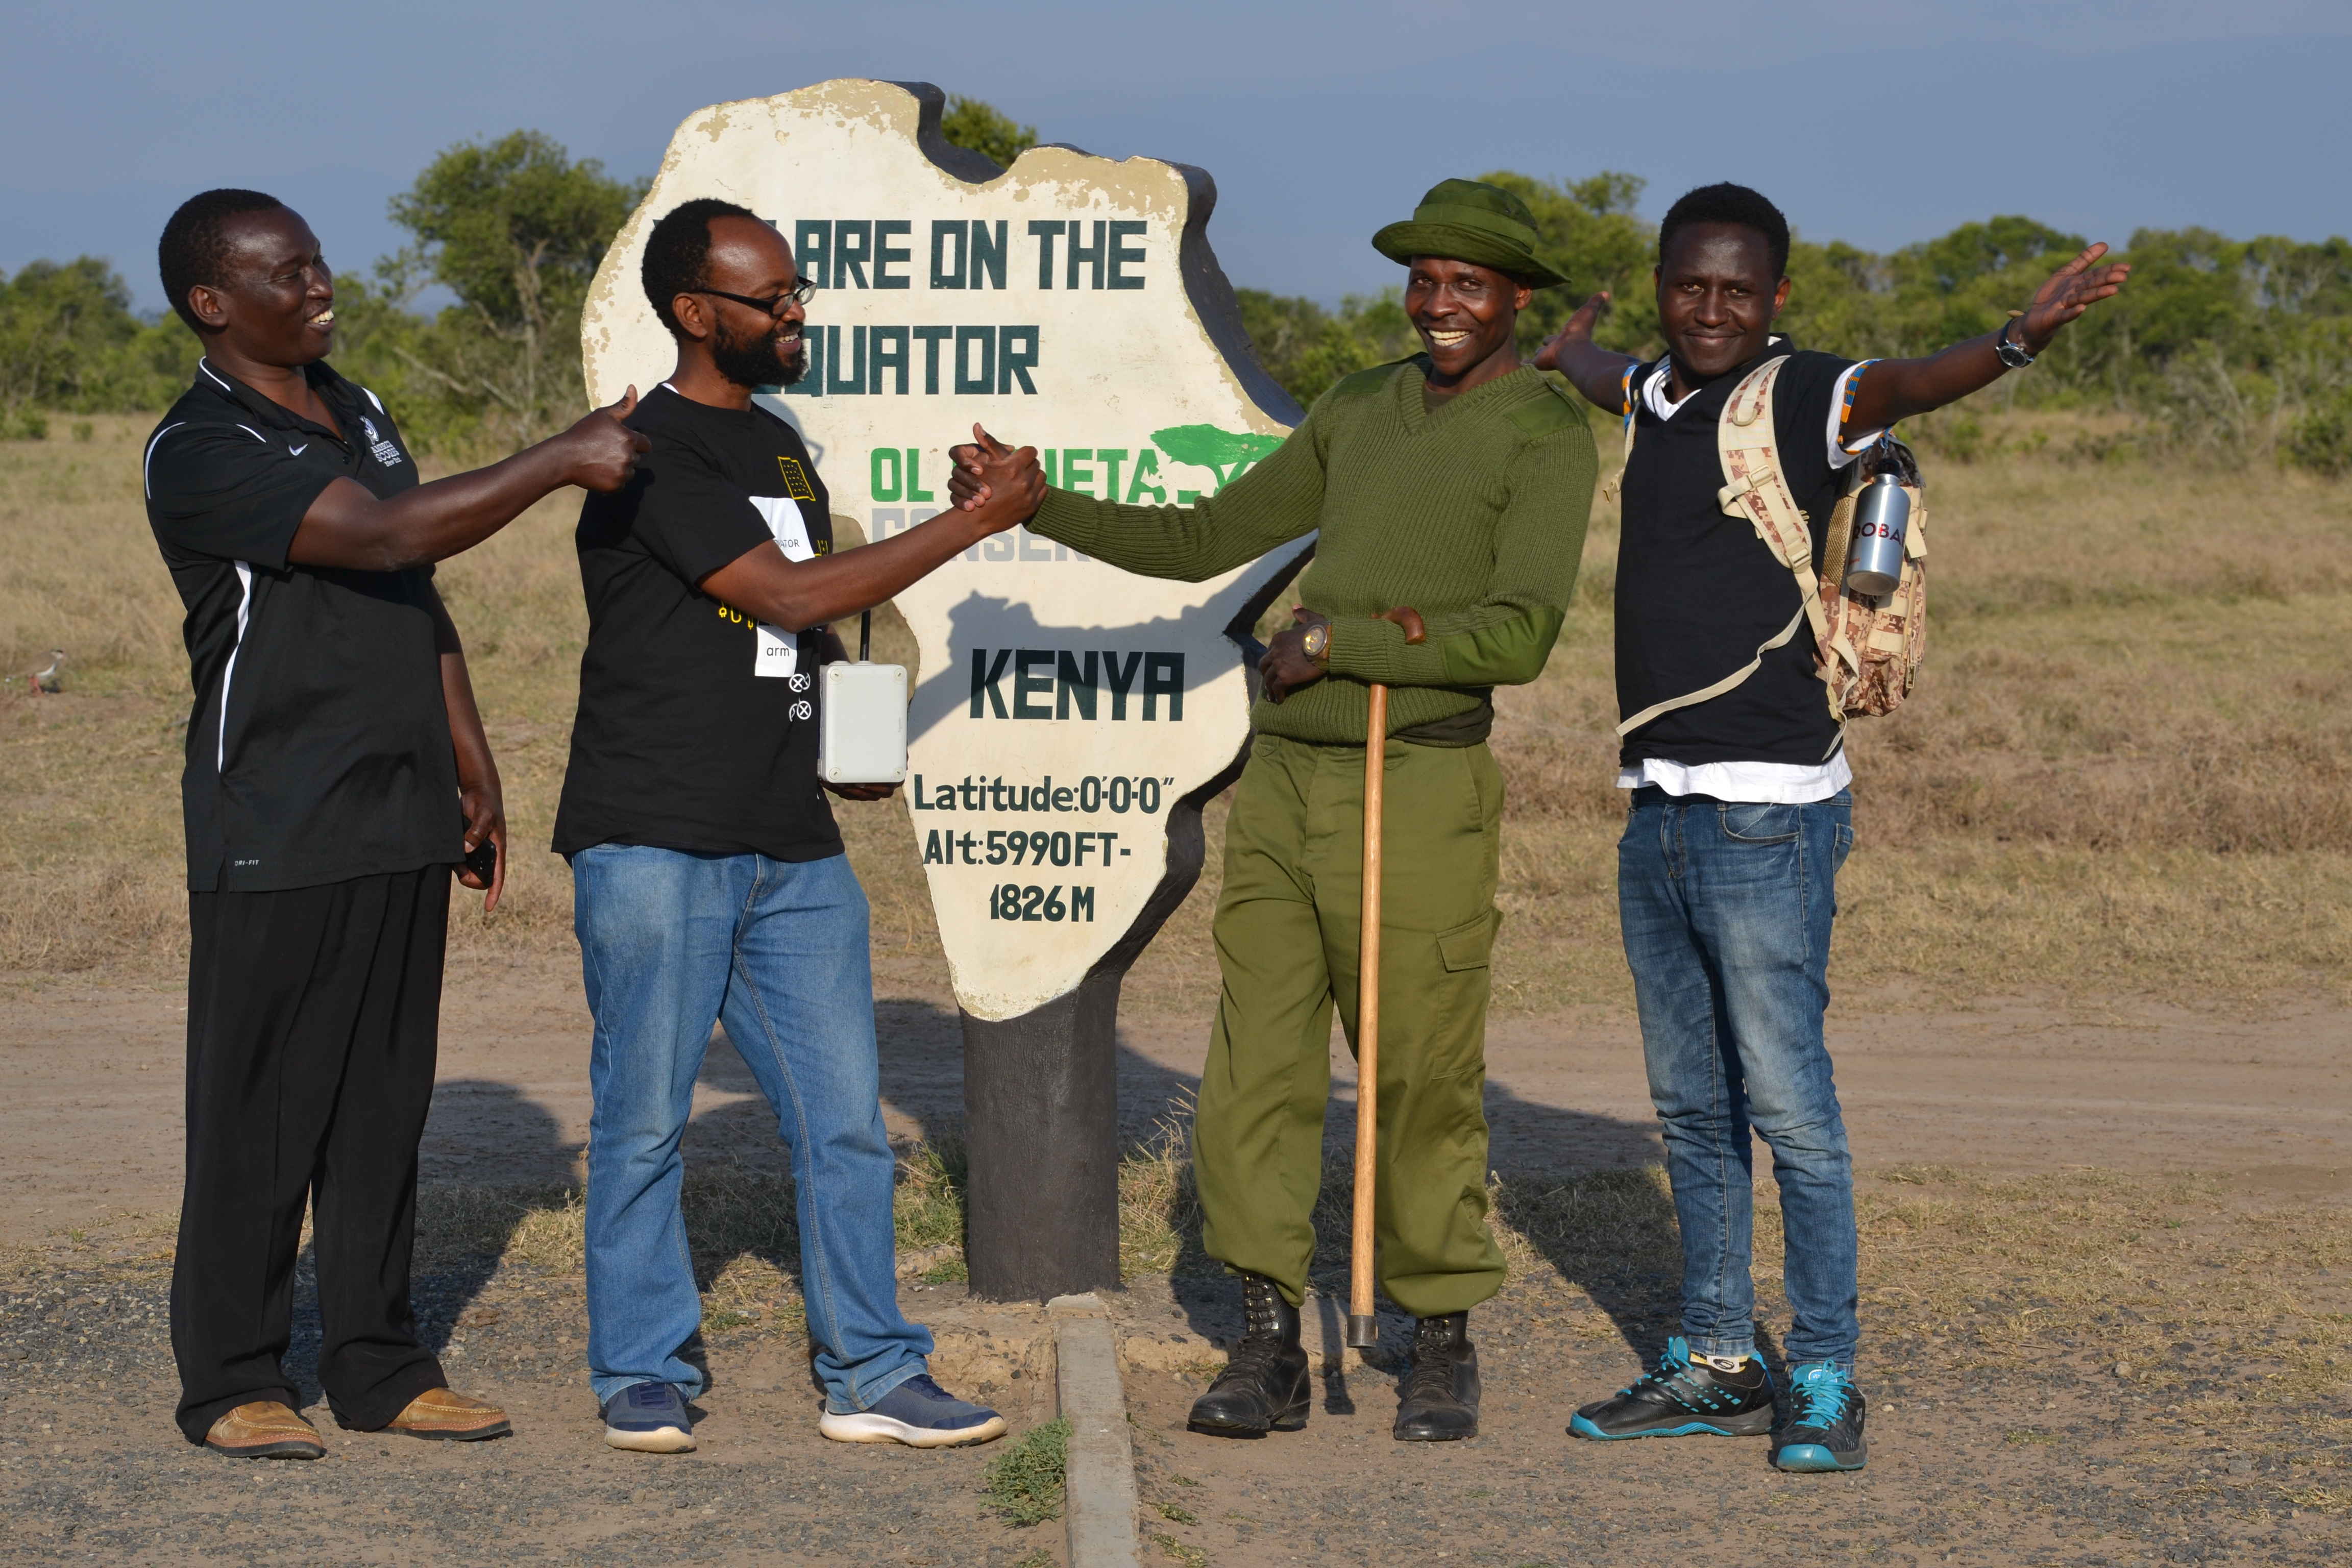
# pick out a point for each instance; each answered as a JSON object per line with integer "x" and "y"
{"x": 1699, "y": 591}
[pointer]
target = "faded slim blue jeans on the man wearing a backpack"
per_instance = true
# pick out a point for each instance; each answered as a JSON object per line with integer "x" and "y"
{"x": 1728, "y": 930}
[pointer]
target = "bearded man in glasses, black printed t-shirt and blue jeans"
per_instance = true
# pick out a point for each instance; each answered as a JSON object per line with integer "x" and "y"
{"x": 709, "y": 878}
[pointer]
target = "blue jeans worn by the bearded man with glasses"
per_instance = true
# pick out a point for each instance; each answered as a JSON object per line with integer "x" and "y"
{"x": 777, "y": 951}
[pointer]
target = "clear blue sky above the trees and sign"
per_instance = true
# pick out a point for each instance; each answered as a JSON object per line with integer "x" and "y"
{"x": 1876, "y": 123}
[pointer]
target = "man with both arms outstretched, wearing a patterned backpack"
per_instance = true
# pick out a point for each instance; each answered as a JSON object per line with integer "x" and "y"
{"x": 1742, "y": 817}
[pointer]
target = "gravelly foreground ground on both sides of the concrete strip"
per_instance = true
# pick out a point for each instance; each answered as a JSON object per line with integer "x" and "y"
{"x": 2038, "y": 1456}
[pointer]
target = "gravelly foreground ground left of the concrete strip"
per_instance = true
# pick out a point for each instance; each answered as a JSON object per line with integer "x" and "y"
{"x": 93, "y": 1470}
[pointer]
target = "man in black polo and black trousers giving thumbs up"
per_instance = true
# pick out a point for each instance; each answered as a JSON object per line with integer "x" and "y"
{"x": 338, "y": 772}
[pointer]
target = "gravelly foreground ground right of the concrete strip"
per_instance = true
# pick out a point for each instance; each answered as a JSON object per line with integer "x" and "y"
{"x": 2052, "y": 1463}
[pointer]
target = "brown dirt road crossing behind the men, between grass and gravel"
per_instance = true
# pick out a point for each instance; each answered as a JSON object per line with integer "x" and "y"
{"x": 91, "y": 1078}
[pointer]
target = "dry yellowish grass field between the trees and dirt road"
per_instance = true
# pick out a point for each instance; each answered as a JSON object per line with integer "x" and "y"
{"x": 2127, "y": 770}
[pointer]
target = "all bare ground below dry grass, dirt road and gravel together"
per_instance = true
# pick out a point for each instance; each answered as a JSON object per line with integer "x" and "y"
{"x": 2003, "y": 1430}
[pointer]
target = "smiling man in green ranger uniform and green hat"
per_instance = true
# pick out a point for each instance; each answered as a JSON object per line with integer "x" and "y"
{"x": 1455, "y": 485}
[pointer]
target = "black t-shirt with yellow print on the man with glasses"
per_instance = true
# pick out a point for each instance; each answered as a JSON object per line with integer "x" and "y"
{"x": 697, "y": 728}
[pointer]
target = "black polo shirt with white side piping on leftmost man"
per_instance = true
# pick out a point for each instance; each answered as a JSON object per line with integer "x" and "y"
{"x": 319, "y": 742}
